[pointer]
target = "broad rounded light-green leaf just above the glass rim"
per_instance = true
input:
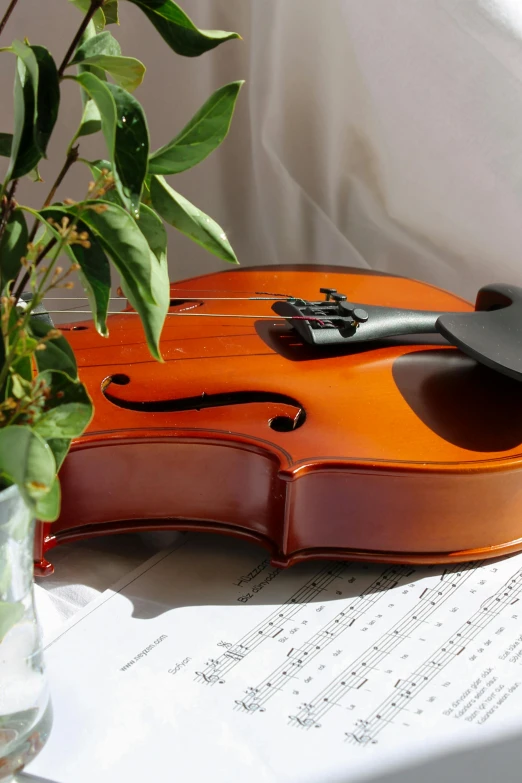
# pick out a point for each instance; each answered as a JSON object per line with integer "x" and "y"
{"x": 26, "y": 460}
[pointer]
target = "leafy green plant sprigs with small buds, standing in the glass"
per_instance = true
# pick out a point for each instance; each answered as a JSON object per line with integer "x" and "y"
{"x": 119, "y": 226}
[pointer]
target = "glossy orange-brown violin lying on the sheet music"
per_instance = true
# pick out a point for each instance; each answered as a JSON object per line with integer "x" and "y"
{"x": 388, "y": 430}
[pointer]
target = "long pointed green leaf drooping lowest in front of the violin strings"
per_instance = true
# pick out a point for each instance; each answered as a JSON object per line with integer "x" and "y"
{"x": 119, "y": 235}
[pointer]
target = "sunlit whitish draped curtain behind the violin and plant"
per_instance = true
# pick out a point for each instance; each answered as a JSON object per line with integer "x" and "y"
{"x": 378, "y": 133}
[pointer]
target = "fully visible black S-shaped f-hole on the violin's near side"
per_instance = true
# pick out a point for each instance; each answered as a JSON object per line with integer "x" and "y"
{"x": 282, "y": 423}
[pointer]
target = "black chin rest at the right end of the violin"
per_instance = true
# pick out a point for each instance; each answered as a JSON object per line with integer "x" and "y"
{"x": 493, "y": 333}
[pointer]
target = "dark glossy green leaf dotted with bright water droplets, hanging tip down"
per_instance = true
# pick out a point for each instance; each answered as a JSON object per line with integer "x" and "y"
{"x": 126, "y": 135}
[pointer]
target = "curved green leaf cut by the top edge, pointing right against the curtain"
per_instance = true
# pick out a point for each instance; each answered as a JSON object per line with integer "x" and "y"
{"x": 178, "y": 31}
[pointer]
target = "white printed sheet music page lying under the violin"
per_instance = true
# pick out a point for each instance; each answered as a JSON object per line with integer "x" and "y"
{"x": 208, "y": 662}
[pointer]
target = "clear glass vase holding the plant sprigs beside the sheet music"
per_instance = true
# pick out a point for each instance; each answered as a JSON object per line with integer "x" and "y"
{"x": 25, "y": 706}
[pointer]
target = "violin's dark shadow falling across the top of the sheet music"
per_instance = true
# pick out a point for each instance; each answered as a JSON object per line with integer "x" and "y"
{"x": 224, "y": 571}
